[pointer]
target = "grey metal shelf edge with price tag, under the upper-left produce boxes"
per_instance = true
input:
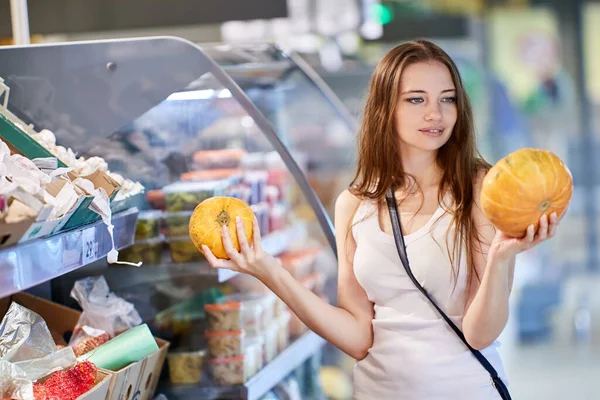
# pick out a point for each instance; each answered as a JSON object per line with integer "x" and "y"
{"x": 31, "y": 263}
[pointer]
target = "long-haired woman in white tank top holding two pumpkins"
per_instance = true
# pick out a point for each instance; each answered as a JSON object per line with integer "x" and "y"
{"x": 417, "y": 135}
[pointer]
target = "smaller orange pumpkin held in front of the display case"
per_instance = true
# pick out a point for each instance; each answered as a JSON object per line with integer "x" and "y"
{"x": 209, "y": 217}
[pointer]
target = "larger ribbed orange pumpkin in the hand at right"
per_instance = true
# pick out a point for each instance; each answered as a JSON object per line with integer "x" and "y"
{"x": 522, "y": 187}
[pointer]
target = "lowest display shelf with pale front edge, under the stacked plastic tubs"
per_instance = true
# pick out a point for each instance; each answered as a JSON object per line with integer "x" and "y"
{"x": 273, "y": 373}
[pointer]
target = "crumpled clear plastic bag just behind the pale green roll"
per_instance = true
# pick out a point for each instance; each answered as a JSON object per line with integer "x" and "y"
{"x": 102, "y": 309}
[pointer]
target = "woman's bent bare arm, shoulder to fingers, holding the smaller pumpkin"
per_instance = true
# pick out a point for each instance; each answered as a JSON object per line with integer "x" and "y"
{"x": 347, "y": 326}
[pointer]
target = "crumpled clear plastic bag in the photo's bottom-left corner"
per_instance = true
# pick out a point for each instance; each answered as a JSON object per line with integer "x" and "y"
{"x": 27, "y": 351}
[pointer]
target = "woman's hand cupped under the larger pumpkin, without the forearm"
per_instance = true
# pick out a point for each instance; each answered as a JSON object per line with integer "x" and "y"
{"x": 506, "y": 247}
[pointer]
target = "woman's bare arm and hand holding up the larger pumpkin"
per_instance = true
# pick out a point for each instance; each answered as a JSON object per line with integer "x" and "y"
{"x": 487, "y": 309}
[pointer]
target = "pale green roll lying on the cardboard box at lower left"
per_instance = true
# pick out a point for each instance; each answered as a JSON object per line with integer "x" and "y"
{"x": 129, "y": 347}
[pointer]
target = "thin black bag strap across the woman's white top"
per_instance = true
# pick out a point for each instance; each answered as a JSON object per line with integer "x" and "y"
{"x": 401, "y": 247}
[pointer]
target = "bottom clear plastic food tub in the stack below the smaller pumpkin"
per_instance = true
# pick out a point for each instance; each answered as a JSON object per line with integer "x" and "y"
{"x": 233, "y": 370}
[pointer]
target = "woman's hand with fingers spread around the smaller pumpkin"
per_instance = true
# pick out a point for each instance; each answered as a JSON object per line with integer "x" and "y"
{"x": 252, "y": 260}
